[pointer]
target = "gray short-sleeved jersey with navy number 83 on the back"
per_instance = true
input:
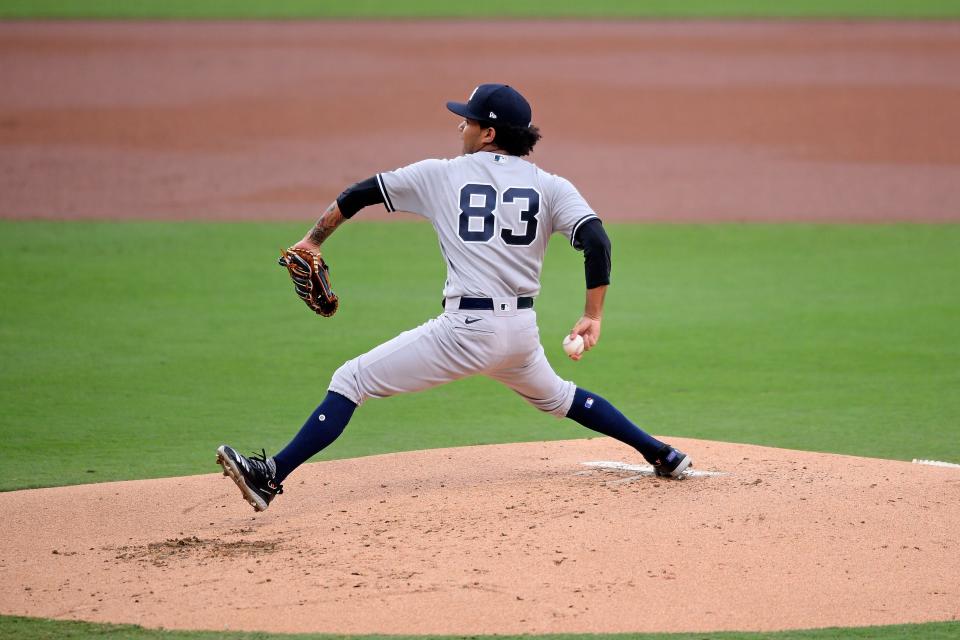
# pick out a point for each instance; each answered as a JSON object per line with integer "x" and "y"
{"x": 493, "y": 214}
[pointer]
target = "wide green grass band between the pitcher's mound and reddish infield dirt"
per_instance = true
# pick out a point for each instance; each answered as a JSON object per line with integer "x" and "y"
{"x": 165, "y": 340}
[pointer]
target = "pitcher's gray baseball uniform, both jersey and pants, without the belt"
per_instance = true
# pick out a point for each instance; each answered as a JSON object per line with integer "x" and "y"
{"x": 493, "y": 214}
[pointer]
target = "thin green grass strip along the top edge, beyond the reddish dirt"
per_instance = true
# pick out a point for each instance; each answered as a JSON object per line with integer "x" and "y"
{"x": 901, "y": 9}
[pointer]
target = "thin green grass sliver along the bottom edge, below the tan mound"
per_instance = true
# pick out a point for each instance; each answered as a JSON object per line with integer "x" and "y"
{"x": 36, "y": 629}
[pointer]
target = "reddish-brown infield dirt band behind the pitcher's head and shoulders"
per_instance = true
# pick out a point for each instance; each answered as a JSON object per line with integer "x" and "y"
{"x": 680, "y": 121}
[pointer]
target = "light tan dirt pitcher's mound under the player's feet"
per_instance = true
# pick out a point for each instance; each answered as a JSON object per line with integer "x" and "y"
{"x": 518, "y": 538}
